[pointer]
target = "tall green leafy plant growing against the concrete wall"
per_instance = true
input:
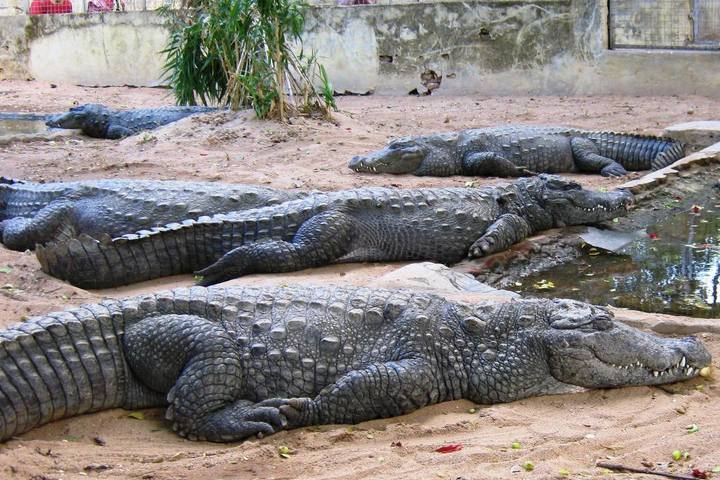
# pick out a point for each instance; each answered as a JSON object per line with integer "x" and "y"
{"x": 239, "y": 53}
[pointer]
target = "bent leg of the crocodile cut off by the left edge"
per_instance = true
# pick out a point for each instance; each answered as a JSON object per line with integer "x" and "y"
{"x": 55, "y": 221}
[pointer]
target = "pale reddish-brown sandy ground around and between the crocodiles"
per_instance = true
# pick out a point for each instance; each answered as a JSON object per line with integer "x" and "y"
{"x": 630, "y": 426}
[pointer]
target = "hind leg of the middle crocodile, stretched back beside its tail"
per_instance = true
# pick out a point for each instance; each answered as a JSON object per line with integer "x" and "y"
{"x": 319, "y": 241}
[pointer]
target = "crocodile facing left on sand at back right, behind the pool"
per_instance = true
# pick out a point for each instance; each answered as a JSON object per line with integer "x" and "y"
{"x": 521, "y": 150}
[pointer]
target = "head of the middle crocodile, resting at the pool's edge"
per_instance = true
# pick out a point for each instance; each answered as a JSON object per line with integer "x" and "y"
{"x": 569, "y": 204}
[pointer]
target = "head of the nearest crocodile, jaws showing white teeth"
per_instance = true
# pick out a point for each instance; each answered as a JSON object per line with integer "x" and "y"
{"x": 557, "y": 346}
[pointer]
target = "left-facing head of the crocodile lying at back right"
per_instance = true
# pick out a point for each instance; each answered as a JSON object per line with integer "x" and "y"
{"x": 418, "y": 155}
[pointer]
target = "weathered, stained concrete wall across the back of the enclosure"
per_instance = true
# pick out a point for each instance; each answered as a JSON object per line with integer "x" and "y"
{"x": 481, "y": 46}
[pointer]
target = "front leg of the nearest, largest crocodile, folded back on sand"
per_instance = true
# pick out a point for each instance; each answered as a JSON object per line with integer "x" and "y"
{"x": 380, "y": 390}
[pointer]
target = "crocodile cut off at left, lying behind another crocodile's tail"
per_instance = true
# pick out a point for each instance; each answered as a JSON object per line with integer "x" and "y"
{"x": 36, "y": 213}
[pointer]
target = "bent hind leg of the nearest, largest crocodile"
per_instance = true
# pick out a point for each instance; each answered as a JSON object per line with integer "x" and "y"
{"x": 198, "y": 365}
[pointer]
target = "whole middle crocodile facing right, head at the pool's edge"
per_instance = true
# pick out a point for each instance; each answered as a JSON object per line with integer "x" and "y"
{"x": 367, "y": 224}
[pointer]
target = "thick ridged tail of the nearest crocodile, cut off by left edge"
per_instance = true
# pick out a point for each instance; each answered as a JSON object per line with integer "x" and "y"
{"x": 60, "y": 365}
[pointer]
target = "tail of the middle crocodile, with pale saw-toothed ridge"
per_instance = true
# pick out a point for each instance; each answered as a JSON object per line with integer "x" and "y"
{"x": 89, "y": 263}
